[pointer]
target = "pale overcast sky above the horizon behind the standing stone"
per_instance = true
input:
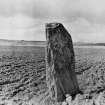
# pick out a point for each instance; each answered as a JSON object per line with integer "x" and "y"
{"x": 25, "y": 19}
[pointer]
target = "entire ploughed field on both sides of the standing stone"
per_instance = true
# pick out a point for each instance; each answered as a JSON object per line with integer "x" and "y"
{"x": 22, "y": 73}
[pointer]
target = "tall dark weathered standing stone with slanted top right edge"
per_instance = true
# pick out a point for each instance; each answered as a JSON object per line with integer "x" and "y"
{"x": 60, "y": 66}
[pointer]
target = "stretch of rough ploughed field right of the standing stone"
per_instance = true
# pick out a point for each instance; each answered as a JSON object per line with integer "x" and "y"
{"x": 90, "y": 69}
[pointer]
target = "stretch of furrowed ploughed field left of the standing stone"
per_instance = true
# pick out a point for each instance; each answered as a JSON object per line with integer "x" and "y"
{"x": 22, "y": 74}
